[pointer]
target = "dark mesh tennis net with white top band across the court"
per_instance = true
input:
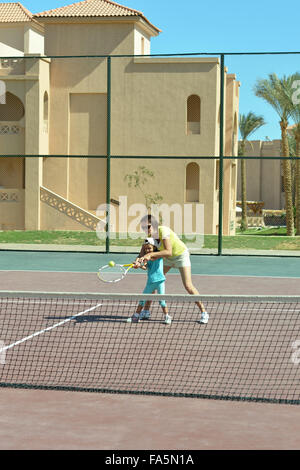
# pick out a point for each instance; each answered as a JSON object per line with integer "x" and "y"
{"x": 249, "y": 349}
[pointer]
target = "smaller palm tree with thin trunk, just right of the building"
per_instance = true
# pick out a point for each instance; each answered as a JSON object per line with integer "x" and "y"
{"x": 248, "y": 124}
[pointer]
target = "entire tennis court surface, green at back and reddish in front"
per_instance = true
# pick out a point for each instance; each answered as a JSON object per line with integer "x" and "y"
{"x": 192, "y": 386}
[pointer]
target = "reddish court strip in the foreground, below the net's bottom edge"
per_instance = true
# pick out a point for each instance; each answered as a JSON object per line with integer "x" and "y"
{"x": 73, "y": 420}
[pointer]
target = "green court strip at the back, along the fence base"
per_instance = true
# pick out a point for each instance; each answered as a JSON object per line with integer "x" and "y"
{"x": 201, "y": 264}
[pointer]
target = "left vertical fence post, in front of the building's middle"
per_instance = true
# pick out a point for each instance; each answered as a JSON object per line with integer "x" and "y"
{"x": 108, "y": 155}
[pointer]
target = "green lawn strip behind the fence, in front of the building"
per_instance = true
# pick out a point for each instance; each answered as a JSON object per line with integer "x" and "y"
{"x": 265, "y": 239}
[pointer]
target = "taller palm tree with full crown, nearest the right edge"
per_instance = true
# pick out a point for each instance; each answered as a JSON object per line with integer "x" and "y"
{"x": 278, "y": 92}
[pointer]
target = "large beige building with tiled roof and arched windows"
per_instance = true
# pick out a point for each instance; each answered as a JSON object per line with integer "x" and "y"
{"x": 57, "y": 105}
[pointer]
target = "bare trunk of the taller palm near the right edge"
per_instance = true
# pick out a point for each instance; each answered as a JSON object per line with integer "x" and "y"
{"x": 287, "y": 180}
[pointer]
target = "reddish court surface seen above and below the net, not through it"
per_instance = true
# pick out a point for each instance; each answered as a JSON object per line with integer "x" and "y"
{"x": 37, "y": 419}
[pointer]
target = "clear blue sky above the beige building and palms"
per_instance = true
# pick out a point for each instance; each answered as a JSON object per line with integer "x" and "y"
{"x": 190, "y": 26}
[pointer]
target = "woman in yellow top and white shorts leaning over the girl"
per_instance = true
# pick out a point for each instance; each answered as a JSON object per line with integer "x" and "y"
{"x": 175, "y": 254}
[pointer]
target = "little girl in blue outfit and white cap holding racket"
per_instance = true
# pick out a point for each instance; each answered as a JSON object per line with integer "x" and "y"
{"x": 155, "y": 283}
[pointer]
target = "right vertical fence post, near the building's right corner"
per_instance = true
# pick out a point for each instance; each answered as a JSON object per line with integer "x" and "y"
{"x": 221, "y": 154}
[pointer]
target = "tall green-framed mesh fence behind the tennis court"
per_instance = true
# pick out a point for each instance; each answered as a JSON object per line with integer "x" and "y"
{"x": 84, "y": 156}
